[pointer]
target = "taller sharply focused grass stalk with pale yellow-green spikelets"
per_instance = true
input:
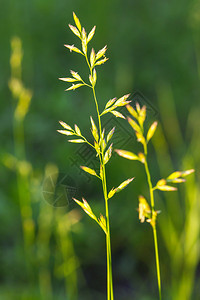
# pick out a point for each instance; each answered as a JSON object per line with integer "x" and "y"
{"x": 102, "y": 139}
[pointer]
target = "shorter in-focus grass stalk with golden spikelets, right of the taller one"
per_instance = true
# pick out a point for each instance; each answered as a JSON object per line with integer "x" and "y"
{"x": 147, "y": 208}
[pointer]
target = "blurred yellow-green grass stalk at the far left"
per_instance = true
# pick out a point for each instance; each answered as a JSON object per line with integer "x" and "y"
{"x": 21, "y": 98}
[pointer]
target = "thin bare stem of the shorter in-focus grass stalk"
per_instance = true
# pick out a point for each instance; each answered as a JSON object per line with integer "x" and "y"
{"x": 153, "y": 224}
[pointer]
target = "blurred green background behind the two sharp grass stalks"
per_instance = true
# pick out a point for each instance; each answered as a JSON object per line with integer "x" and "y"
{"x": 51, "y": 252}
